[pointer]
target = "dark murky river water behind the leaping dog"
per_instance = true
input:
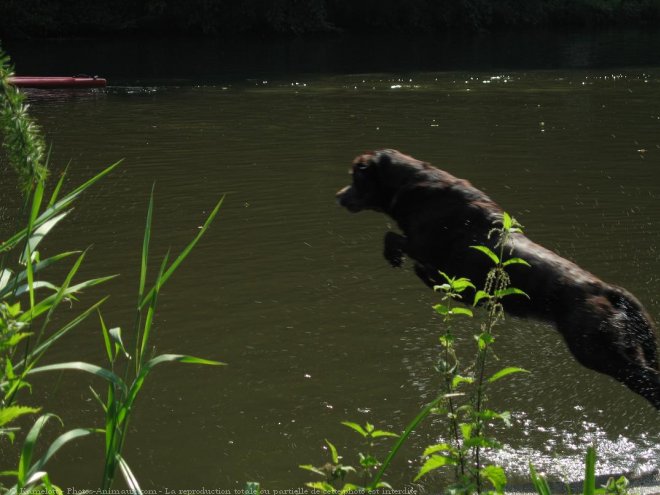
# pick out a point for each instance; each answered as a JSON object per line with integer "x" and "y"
{"x": 292, "y": 292}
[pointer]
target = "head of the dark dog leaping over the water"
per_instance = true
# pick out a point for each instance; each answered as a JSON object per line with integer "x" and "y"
{"x": 377, "y": 176}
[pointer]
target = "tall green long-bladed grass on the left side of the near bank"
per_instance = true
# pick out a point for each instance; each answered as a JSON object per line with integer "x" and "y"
{"x": 29, "y": 303}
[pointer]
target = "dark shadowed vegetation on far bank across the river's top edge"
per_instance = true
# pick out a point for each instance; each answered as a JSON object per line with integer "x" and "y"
{"x": 39, "y": 18}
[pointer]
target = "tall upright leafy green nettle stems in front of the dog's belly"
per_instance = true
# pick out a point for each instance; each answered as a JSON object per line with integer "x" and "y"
{"x": 466, "y": 411}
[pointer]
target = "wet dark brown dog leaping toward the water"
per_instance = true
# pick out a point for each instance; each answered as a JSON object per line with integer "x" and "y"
{"x": 606, "y": 328}
